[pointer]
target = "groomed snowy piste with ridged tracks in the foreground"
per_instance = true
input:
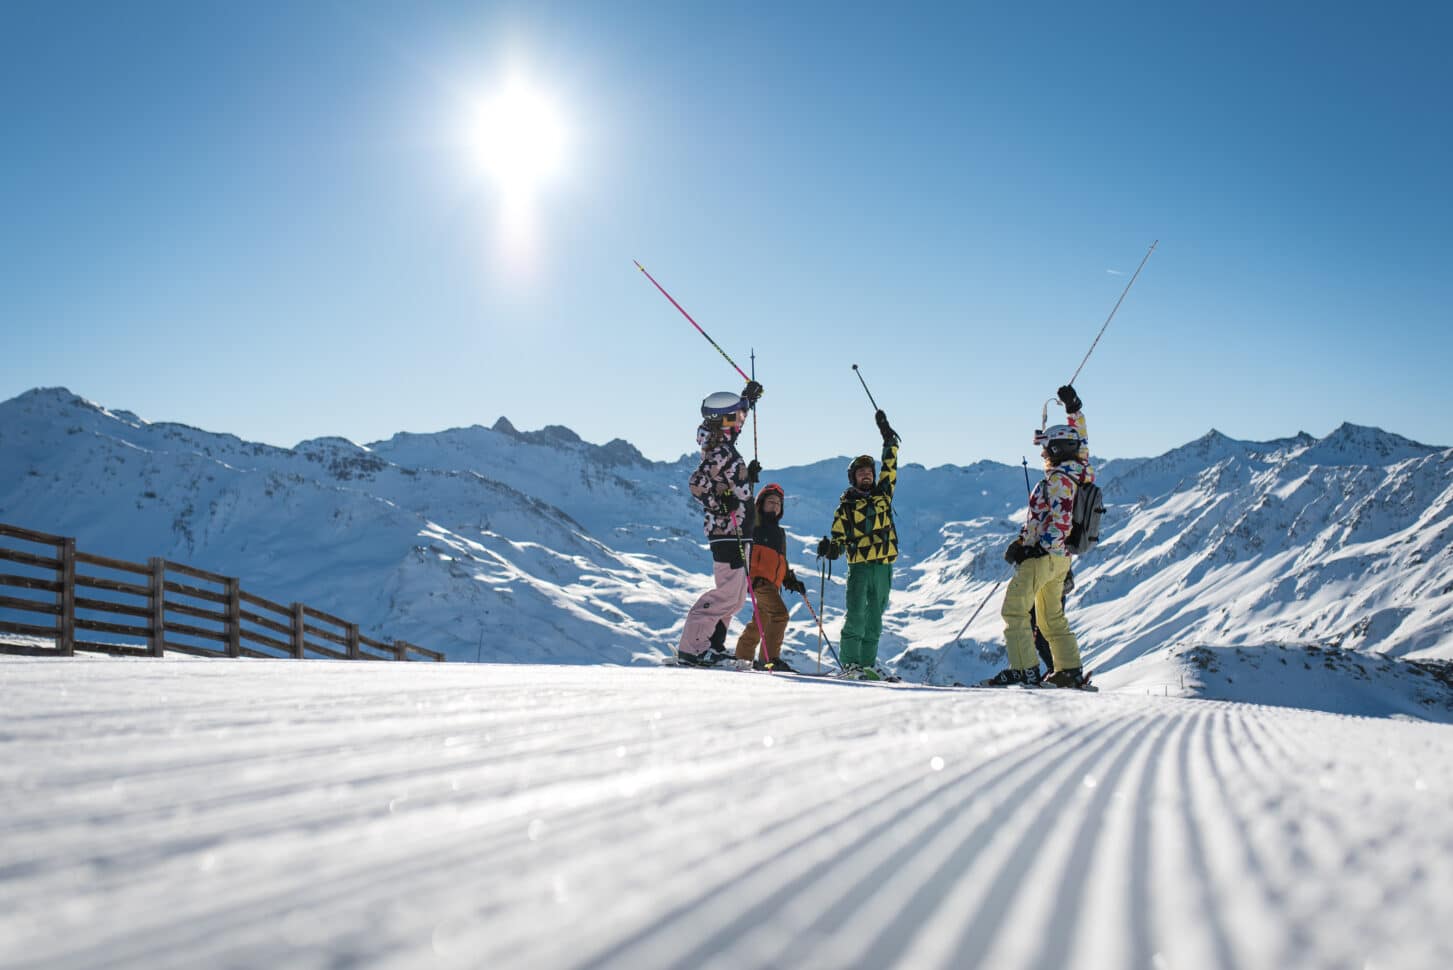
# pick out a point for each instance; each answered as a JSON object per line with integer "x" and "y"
{"x": 310, "y": 814}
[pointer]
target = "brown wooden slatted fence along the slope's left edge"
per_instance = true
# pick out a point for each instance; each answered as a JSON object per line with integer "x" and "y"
{"x": 163, "y": 606}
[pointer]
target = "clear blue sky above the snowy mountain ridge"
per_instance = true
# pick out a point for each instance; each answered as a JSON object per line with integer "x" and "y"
{"x": 264, "y": 220}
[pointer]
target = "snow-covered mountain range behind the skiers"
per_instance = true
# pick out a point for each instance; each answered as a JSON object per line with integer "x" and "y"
{"x": 541, "y": 547}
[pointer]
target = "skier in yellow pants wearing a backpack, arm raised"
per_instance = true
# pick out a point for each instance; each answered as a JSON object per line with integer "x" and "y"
{"x": 1041, "y": 560}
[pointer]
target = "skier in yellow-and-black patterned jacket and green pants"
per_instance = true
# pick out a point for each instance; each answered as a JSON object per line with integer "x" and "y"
{"x": 864, "y": 526}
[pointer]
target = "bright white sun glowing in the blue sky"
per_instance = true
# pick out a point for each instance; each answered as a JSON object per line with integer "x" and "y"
{"x": 519, "y": 140}
